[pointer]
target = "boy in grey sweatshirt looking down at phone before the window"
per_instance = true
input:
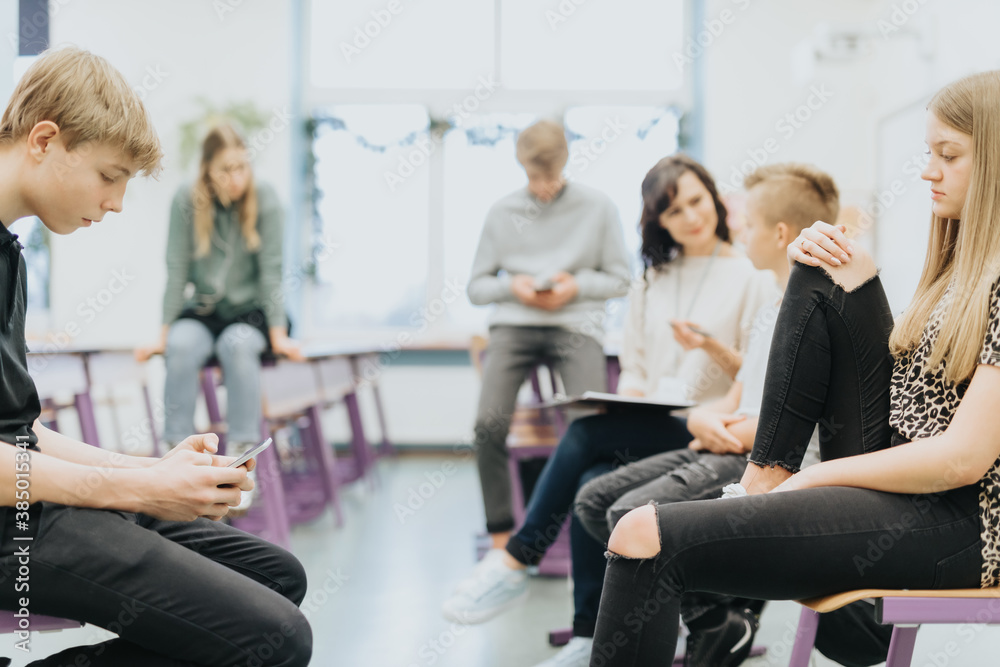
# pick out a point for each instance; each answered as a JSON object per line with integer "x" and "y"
{"x": 549, "y": 257}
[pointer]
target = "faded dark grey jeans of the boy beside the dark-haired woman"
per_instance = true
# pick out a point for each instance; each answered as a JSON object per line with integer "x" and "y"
{"x": 670, "y": 477}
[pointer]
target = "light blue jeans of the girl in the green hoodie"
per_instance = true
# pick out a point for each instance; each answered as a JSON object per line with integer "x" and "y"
{"x": 189, "y": 345}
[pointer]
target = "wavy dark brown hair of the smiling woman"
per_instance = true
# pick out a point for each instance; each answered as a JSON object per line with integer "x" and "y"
{"x": 658, "y": 191}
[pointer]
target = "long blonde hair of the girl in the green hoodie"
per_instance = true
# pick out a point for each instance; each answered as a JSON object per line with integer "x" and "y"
{"x": 203, "y": 194}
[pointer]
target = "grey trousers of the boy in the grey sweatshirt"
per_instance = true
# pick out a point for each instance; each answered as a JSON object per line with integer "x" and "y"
{"x": 513, "y": 352}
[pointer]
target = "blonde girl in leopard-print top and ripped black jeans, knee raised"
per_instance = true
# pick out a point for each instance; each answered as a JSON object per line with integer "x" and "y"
{"x": 909, "y": 419}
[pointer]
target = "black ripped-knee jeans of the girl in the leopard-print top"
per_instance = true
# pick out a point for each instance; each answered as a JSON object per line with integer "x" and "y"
{"x": 829, "y": 361}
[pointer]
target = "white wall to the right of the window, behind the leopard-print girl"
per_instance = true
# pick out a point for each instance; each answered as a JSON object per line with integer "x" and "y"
{"x": 754, "y": 77}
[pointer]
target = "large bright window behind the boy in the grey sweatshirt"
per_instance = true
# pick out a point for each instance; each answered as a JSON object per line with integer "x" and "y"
{"x": 404, "y": 182}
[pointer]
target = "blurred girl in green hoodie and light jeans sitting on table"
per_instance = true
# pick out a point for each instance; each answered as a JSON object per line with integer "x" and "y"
{"x": 225, "y": 241}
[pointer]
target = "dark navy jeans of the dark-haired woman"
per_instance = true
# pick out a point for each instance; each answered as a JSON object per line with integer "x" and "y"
{"x": 591, "y": 447}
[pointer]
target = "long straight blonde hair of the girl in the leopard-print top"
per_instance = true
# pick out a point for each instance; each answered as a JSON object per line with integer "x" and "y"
{"x": 964, "y": 251}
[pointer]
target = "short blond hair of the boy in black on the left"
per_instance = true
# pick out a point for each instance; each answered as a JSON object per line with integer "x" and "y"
{"x": 89, "y": 100}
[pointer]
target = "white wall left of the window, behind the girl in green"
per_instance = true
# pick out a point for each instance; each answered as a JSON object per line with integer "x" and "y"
{"x": 175, "y": 52}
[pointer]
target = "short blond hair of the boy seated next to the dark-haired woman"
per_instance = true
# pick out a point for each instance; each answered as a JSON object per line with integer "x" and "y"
{"x": 796, "y": 194}
